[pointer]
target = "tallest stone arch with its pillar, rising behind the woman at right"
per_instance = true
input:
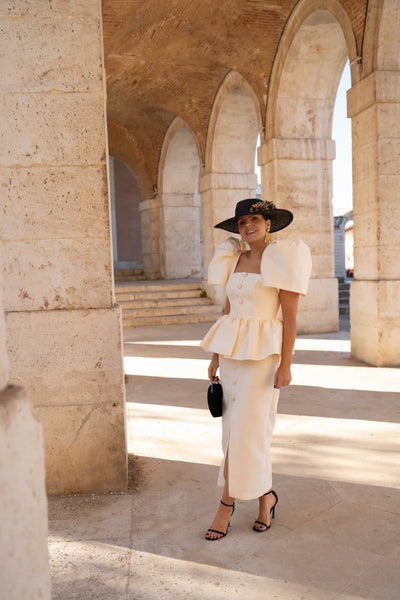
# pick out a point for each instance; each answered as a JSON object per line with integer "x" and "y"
{"x": 296, "y": 157}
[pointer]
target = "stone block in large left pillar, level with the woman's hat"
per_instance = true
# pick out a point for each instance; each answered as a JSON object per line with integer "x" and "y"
{"x": 51, "y": 202}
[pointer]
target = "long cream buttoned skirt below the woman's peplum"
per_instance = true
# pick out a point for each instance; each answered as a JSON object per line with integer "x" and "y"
{"x": 249, "y": 415}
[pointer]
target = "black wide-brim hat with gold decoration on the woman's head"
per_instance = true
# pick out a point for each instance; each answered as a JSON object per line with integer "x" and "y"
{"x": 279, "y": 217}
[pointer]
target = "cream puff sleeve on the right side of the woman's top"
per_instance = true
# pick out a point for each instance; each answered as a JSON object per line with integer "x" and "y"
{"x": 286, "y": 265}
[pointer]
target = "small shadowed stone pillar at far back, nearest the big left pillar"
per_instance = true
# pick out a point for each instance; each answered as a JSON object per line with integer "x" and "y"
{"x": 149, "y": 215}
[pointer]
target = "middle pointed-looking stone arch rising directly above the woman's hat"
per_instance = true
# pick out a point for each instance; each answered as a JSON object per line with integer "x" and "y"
{"x": 229, "y": 176}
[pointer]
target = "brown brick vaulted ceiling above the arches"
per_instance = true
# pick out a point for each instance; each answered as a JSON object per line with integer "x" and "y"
{"x": 168, "y": 57}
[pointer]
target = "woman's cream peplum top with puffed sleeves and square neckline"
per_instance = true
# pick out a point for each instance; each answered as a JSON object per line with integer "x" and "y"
{"x": 252, "y": 330}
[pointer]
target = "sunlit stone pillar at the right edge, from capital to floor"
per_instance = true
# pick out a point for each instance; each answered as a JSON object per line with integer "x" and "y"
{"x": 374, "y": 105}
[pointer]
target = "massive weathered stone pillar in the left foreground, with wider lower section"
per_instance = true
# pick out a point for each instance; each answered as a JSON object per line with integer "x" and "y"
{"x": 64, "y": 331}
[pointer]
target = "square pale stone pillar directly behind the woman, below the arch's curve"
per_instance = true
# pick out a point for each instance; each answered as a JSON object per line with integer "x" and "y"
{"x": 297, "y": 174}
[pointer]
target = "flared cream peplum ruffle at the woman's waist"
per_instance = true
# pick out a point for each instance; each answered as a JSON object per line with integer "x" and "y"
{"x": 244, "y": 338}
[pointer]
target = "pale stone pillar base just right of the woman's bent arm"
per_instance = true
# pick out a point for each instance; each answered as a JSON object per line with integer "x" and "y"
{"x": 318, "y": 311}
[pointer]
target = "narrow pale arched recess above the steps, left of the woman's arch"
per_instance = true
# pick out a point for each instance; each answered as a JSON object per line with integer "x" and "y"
{"x": 179, "y": 204}
